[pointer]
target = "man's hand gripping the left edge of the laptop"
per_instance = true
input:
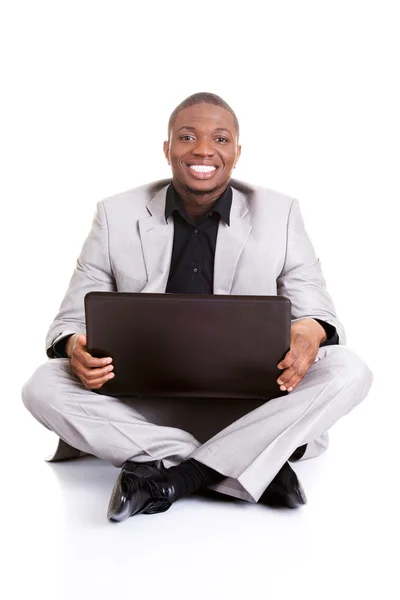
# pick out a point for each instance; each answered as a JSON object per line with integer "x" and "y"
{"x": 93, "y": 372}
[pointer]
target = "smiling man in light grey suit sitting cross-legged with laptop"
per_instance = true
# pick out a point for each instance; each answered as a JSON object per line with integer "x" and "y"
{"x": 201, "y": 232}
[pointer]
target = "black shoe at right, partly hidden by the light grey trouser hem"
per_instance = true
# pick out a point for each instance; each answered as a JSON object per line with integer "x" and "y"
{"x": 284, "y": 490}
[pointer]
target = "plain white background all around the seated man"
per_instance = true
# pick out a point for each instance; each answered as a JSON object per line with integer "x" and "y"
{"x": 87, "y": 89}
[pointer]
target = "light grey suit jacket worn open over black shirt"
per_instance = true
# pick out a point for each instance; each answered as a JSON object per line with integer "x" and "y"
{"x": 264, "y": 251}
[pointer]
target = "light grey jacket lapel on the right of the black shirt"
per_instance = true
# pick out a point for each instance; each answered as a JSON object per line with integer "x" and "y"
{"x": 230, "y": 243}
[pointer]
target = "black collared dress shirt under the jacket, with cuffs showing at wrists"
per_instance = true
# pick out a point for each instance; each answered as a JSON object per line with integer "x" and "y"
{"x": 193, "y": 252}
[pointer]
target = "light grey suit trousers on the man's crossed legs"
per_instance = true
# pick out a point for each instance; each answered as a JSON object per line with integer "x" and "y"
{"x": 246, "y": 441}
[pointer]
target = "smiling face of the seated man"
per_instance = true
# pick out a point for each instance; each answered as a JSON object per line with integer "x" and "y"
{"x": 202, "y": 149}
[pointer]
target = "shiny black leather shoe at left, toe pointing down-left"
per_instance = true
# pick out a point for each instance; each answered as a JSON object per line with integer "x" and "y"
{"x": 140, "y": 488}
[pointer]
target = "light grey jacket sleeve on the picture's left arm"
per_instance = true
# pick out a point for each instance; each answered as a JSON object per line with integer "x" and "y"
{"x": 92, "y": 273}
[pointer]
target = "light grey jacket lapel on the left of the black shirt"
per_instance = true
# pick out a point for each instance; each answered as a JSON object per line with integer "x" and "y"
{"x": 157, "y": 237}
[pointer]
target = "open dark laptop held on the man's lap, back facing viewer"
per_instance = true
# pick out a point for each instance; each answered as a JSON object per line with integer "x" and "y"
{"x": 186, "y": 345}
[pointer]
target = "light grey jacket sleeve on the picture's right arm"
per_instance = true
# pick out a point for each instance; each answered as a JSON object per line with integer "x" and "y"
{"x": 301, "y": 279}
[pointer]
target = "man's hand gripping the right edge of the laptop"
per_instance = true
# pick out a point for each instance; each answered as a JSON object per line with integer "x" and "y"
{"x": 305, "y": 338}
